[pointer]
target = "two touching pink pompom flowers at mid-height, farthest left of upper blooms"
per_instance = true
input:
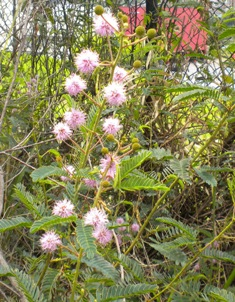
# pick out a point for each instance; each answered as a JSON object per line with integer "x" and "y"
{"x": 72, "y": 120}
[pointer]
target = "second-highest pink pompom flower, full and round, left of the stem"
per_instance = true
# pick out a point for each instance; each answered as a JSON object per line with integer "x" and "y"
{"x": 86, "y": 61}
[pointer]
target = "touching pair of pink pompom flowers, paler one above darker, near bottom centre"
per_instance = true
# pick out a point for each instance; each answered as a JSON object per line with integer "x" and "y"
{"x": 98, "y": 219}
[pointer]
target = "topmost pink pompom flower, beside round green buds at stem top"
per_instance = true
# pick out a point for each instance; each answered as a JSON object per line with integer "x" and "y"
{"x": 105, "y": 25}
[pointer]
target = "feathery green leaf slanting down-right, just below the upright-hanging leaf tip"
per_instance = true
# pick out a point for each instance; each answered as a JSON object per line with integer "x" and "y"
{"x": 103, "y": 266}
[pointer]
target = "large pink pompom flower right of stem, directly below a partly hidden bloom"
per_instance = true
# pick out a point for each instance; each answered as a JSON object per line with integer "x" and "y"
{"x": 115, "y": 94}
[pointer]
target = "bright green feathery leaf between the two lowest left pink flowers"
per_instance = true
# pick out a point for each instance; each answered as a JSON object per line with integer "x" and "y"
{"x": 50, "y": 221}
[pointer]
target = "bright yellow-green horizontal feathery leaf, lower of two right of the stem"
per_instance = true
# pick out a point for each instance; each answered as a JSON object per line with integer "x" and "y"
{"x": 138, "y": 183}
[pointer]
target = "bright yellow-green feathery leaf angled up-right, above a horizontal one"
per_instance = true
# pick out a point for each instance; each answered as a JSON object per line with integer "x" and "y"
{"x": 128, "y": 165}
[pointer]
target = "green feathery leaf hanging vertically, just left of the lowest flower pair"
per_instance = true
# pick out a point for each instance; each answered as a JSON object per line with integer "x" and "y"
{"x": 85, "y": 239}
